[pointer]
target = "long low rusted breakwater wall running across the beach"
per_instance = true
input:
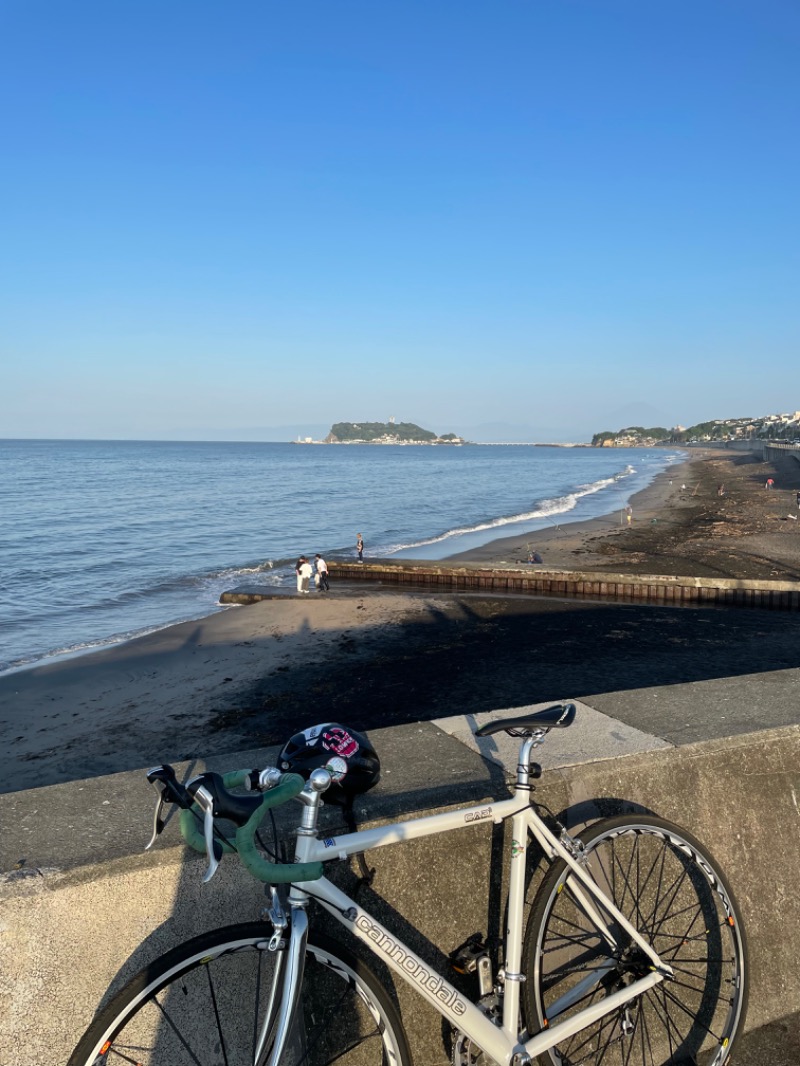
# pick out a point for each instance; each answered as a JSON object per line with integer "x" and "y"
{"x": 652, "y": 589}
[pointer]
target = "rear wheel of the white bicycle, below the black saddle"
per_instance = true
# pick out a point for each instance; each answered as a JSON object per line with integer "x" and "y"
{"x": 673, "y": 893}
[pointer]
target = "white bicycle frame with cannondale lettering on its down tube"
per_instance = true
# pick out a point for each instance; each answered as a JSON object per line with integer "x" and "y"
{"x": 505, "y": 1044}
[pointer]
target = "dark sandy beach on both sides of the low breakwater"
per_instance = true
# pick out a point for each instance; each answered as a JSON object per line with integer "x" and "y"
{"x": 251, "y": 676}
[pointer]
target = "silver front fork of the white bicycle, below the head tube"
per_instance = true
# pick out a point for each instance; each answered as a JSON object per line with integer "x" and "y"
{"x": 285, "y": 995}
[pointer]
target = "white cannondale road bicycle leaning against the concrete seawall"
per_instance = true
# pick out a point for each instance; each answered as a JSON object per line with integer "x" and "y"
{"x": 634, "y": 952}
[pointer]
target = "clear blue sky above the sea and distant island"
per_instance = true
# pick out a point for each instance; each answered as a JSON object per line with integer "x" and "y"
{"x": 542, "y": 218}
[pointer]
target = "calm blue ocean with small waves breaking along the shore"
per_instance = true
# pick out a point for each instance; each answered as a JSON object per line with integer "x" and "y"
{"x": 105, "y": 541}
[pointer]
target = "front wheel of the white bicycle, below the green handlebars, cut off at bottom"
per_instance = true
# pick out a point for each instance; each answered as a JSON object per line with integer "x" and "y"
{"x": 178, "y": 1011}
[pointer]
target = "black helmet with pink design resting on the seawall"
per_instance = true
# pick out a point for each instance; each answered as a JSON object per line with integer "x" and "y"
{"x": 347, "y": 755}
